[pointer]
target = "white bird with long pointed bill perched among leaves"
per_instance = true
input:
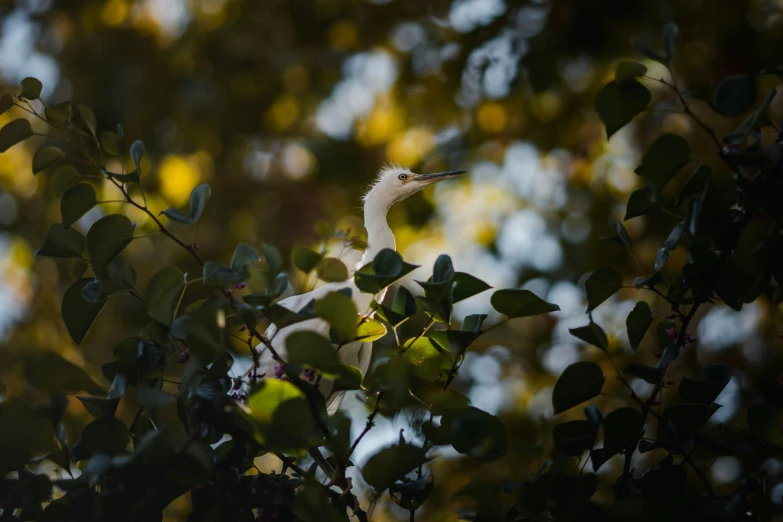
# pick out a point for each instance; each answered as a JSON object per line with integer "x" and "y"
{"x": 393, "y": 184}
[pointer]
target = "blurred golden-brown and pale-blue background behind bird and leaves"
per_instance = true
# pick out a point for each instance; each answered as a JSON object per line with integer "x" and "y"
{"x": 288, "y": 108}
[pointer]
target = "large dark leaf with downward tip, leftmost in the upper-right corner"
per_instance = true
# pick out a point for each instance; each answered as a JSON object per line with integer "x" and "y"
{"x": 618, "y": 103}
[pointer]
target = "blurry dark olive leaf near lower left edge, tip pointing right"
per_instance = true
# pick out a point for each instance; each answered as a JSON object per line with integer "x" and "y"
{"x": 49, "y": 372}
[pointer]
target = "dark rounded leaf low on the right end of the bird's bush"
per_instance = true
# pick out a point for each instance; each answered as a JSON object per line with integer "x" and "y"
{"x": 476, "y": 433}
